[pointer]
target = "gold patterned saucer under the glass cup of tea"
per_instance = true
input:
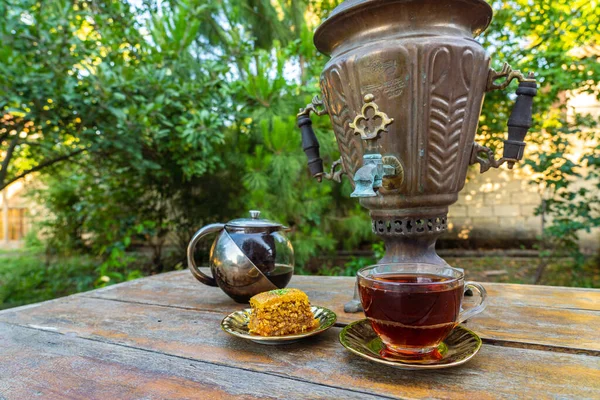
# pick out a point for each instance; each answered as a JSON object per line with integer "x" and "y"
{"x": 459, "y": 347}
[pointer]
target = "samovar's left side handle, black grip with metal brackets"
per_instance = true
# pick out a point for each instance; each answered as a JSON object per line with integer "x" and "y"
{"x": 310, "y": 143}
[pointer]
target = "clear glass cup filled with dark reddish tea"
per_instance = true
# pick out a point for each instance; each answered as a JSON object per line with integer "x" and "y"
{"x": 413, "y": 306}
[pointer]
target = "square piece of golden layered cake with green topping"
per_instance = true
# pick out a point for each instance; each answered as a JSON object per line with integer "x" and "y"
{"x": 281, "y": 312}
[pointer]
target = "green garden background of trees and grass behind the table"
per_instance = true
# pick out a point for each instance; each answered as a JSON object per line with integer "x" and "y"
{"x": 131, "y": 124}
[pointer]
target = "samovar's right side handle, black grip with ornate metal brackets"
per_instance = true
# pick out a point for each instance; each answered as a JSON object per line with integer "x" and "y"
{"x": 518, "y": 123}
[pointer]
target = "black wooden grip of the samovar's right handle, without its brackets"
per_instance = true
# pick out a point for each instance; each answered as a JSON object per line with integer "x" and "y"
{"x": 520, "y": 121}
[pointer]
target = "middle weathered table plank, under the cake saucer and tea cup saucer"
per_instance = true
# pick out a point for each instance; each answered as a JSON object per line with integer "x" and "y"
{"x": 495, "y": 372}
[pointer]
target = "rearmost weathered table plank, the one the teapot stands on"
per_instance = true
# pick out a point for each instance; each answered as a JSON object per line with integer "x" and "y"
{"x": 540, "y": 315}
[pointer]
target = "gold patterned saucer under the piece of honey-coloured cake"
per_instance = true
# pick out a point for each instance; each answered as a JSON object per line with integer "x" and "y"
{"x": 236, "y": 324}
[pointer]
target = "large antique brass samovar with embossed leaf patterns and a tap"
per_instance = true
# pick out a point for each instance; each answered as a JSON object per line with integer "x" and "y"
{"x": 404, "y": 89}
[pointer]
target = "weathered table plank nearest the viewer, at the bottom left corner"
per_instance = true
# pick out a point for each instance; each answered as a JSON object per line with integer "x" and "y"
{"x": 44, "y": 365}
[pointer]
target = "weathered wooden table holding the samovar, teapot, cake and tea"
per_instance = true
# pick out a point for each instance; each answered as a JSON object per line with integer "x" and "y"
{"x": 159, "y": 338}
